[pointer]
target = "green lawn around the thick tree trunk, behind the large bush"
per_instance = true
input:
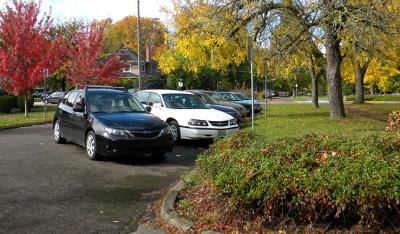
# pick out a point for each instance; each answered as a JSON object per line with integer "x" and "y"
{"x": 297, "y": 120}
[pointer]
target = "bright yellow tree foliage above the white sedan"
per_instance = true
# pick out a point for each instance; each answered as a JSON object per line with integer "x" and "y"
{"x": 195, "y": 43}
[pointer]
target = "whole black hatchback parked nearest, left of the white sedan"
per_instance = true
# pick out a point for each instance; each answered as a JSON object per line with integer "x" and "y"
{"x": 110, "y": 122}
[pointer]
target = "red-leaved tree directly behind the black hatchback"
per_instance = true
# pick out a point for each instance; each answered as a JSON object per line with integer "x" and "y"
{"x": 85, "y": 65}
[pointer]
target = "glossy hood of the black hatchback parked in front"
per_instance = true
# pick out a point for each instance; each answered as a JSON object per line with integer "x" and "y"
{"x": 130, "y": 121}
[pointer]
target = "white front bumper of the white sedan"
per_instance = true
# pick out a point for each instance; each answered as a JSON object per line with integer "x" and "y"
{"x": 205, "y": 133}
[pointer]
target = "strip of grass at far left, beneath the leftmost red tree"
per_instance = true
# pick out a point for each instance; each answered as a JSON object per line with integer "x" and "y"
{"x": 16, "y": 118}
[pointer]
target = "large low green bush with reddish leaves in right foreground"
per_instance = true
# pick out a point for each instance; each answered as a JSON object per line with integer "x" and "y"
{"x": 323, "y": 179}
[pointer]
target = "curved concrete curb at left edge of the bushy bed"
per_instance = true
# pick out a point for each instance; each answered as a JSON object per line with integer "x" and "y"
{"x": 168, "y": 213}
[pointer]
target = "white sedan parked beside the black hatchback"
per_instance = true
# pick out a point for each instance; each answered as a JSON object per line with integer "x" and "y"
{"x": 188, "y": 116}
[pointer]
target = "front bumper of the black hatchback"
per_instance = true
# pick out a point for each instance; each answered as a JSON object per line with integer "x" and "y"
{"x": 116, "y": 145}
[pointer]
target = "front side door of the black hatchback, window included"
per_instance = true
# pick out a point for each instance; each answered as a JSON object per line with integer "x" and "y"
{"x": 78, "y": 120}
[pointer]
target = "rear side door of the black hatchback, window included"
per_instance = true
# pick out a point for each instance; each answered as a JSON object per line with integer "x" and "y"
{"x": 67, "y": 116}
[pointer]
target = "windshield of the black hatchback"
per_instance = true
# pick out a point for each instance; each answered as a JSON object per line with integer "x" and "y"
{"x": 113, "y": 103}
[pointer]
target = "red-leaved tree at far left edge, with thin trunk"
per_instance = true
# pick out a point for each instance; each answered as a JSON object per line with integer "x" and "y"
{"x": 25, "y": 48}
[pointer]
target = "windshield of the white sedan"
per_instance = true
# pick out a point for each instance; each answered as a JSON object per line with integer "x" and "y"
{"x": 183, "y": 101}
